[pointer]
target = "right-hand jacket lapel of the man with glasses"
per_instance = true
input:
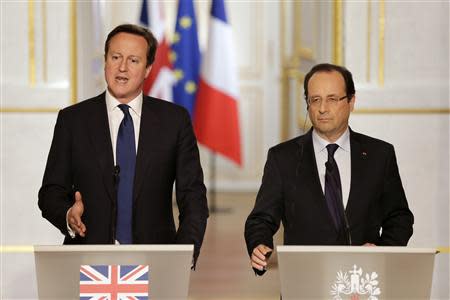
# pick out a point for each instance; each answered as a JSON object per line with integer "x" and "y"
{"x": 358, "y": 165}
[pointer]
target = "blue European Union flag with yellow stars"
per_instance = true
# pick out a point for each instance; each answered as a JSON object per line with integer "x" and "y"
{"x": 186, "y": 56}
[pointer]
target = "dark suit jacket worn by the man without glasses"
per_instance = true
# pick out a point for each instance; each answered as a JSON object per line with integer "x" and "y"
{"x": 81, "y": 159}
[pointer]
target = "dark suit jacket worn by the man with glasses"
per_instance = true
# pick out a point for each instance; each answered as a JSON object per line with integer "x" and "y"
{"x": 291, "y": 192}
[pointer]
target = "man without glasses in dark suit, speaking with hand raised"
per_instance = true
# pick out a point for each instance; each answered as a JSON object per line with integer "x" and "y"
{"x": 114, "y": 159}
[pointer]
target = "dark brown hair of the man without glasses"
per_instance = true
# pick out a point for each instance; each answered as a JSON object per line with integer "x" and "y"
{"x": 152, "y": 43}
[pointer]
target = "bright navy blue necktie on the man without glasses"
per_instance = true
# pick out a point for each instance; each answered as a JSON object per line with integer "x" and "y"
{"x": 126, "y": 160}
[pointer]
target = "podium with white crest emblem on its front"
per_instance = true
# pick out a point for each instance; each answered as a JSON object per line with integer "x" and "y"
{"x": 355, "y": 272}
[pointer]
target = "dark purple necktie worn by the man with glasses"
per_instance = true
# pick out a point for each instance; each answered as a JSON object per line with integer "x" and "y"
{"x": 333, "y": 190}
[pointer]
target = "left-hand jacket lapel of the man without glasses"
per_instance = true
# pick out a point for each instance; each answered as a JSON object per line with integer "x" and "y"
{"x": 101, "y": 140}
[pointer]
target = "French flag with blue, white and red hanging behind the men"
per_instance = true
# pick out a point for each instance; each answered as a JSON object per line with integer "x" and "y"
{"x": 216, "y": 115}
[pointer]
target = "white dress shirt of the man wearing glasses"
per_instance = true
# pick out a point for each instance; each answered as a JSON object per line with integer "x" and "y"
{"x": 341, "y": 156}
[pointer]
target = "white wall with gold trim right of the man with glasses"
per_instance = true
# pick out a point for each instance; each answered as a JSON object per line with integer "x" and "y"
{"x": 415, "y": 100}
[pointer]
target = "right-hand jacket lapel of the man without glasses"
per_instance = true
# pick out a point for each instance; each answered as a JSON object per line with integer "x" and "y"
{"x": 148, "y": 134}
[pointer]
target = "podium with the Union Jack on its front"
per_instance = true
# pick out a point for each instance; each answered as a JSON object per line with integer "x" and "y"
{"x": 63, "y": 272}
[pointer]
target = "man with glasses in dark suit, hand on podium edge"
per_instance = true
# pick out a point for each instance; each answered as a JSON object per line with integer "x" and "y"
{"x": 331, "y": 186}
